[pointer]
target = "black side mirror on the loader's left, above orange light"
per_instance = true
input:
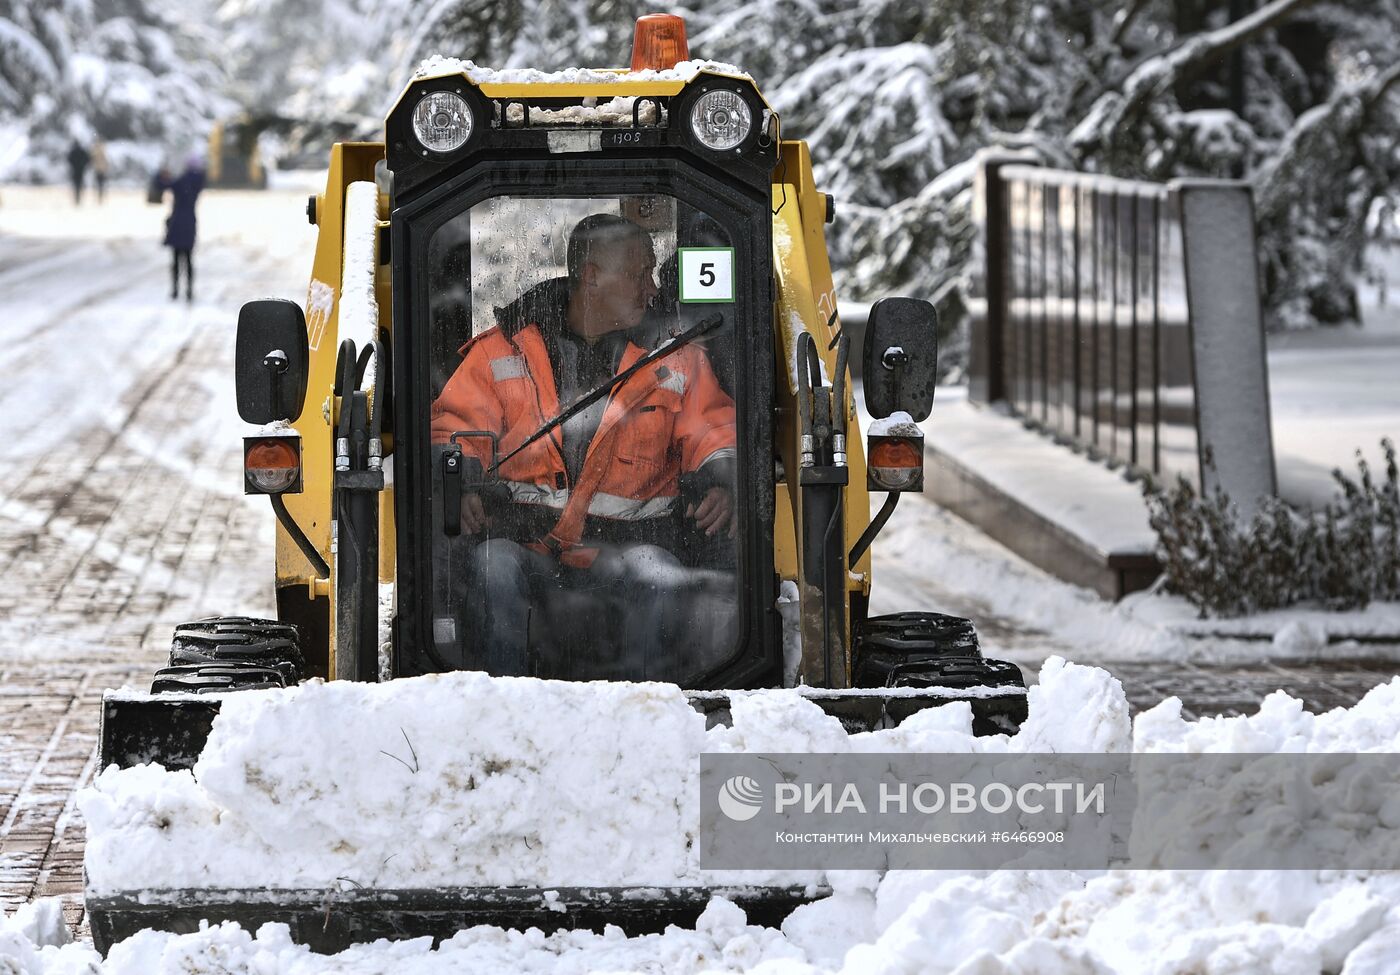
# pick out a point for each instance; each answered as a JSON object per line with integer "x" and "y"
{"x": 271, "y": 361}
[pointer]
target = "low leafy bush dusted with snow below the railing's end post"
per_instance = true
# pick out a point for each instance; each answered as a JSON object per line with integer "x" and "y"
{"x": 1343, "y": 557}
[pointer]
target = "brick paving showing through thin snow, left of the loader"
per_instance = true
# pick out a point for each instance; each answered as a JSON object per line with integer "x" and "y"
{"x": 114, "y": 547}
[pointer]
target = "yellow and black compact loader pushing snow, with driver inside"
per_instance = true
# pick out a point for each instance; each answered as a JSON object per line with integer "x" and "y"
{"x": 439, "y": 257}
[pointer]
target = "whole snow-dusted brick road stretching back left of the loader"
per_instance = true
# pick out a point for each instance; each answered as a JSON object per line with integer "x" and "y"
{"x": 121, "y": 505}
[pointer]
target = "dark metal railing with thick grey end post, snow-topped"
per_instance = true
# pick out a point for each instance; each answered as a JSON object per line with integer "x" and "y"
{"x": 1123, "y": 317}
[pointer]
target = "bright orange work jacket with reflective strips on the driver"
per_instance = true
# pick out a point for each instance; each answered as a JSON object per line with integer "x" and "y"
{"x": 668, "y": 420}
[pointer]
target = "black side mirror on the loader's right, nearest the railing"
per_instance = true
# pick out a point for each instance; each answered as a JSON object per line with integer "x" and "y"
{"x": 901, "y": 362}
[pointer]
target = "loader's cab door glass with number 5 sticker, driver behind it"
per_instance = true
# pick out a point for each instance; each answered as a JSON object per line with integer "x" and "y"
{"x": 584, "y": 527}
